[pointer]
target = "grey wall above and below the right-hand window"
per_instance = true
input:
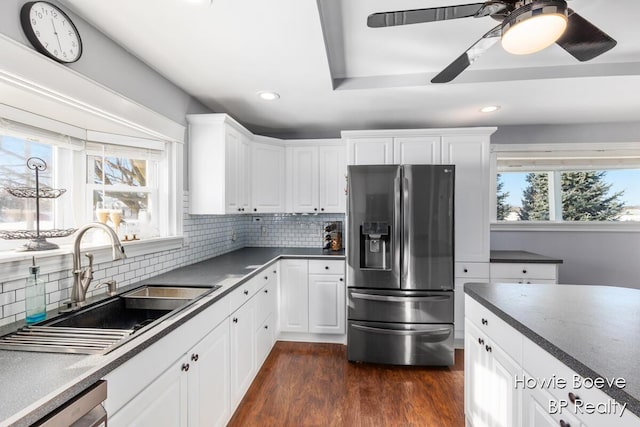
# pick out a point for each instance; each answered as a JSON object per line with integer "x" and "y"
{"x": 591, "y": 258}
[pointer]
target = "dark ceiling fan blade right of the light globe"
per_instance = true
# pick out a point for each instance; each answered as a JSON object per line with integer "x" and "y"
{"x": 584, "y": 40}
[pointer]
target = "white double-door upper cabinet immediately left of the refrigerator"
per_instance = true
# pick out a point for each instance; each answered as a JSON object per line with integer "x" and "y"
{"x": 316, "y": 178}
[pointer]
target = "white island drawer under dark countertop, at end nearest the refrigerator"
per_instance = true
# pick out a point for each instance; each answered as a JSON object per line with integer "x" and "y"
{"x": 495, "y": 328}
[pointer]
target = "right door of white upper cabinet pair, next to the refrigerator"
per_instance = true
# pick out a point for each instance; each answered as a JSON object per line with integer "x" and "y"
{"x": 333, "y": 181}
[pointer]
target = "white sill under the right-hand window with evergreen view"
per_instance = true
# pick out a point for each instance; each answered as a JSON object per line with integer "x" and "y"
{"x": 607, "y": 227}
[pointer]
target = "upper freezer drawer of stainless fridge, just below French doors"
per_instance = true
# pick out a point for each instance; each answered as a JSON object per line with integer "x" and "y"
{"x": 401, "y": 306}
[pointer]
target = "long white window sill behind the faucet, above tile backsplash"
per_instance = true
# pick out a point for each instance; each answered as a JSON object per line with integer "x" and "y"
{"x": 14, "y": 265}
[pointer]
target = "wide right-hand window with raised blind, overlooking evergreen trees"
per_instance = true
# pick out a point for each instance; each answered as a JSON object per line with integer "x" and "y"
{"x": 568, "y": 184}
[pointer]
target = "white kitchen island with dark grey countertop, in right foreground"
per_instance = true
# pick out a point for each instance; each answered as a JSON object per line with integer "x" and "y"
{"x": 555, "y": 332}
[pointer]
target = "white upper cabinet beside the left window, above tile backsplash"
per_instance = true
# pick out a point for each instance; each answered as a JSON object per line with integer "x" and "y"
{"x": 218, "y": 165}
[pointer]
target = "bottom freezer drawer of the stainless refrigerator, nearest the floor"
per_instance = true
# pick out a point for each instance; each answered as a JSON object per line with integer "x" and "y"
{"x": 401, "y": 344}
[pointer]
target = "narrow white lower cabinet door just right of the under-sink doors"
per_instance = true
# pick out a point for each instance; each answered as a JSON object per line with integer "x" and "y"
{"x": 242, "y": 350}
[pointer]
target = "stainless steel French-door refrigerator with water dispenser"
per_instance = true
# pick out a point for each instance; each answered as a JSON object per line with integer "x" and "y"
{"x": 400, "y": 264}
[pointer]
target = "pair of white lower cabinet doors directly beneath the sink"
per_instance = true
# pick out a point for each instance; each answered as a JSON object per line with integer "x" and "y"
{"x": 194, "y": 391}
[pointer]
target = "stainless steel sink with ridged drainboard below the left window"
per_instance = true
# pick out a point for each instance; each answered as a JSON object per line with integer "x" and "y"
{"x": 102, "y": 327}
